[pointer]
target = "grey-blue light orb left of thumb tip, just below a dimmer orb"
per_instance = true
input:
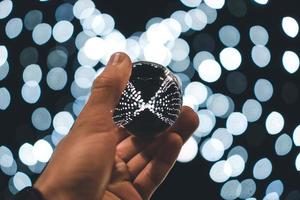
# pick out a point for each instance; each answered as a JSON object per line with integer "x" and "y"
{"x": 57, "y": 78}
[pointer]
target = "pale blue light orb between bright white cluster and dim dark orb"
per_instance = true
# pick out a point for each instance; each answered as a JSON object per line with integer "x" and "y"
{"x": 180, "y": 50}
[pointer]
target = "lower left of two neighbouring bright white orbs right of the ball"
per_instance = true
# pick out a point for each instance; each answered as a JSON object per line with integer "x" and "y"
{"x": 209, "y": 71}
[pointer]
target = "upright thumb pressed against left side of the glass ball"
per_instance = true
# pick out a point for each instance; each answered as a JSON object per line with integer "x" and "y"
{"x": 107, "y": 89}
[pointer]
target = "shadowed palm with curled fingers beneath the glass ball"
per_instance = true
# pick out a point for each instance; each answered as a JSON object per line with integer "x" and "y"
{"x": 141, "y": 165}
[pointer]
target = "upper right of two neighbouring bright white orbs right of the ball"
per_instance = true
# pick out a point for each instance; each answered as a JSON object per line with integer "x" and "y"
{"x": 230, "y": 58}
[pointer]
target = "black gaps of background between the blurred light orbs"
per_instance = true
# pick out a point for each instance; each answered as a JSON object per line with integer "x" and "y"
{"x": 190, "y": 180}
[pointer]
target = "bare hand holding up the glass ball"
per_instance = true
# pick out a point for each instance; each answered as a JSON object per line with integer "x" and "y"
{"x": 98, "y": 160}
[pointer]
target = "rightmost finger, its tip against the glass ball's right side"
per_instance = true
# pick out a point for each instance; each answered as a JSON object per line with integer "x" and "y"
{"x": 163, "y": 160}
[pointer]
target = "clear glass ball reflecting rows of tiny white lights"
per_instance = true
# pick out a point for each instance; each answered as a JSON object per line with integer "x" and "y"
{"x": 151, "y": 101}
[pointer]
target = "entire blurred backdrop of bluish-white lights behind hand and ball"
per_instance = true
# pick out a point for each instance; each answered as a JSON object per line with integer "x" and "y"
{"x": 237, "y": 61}
